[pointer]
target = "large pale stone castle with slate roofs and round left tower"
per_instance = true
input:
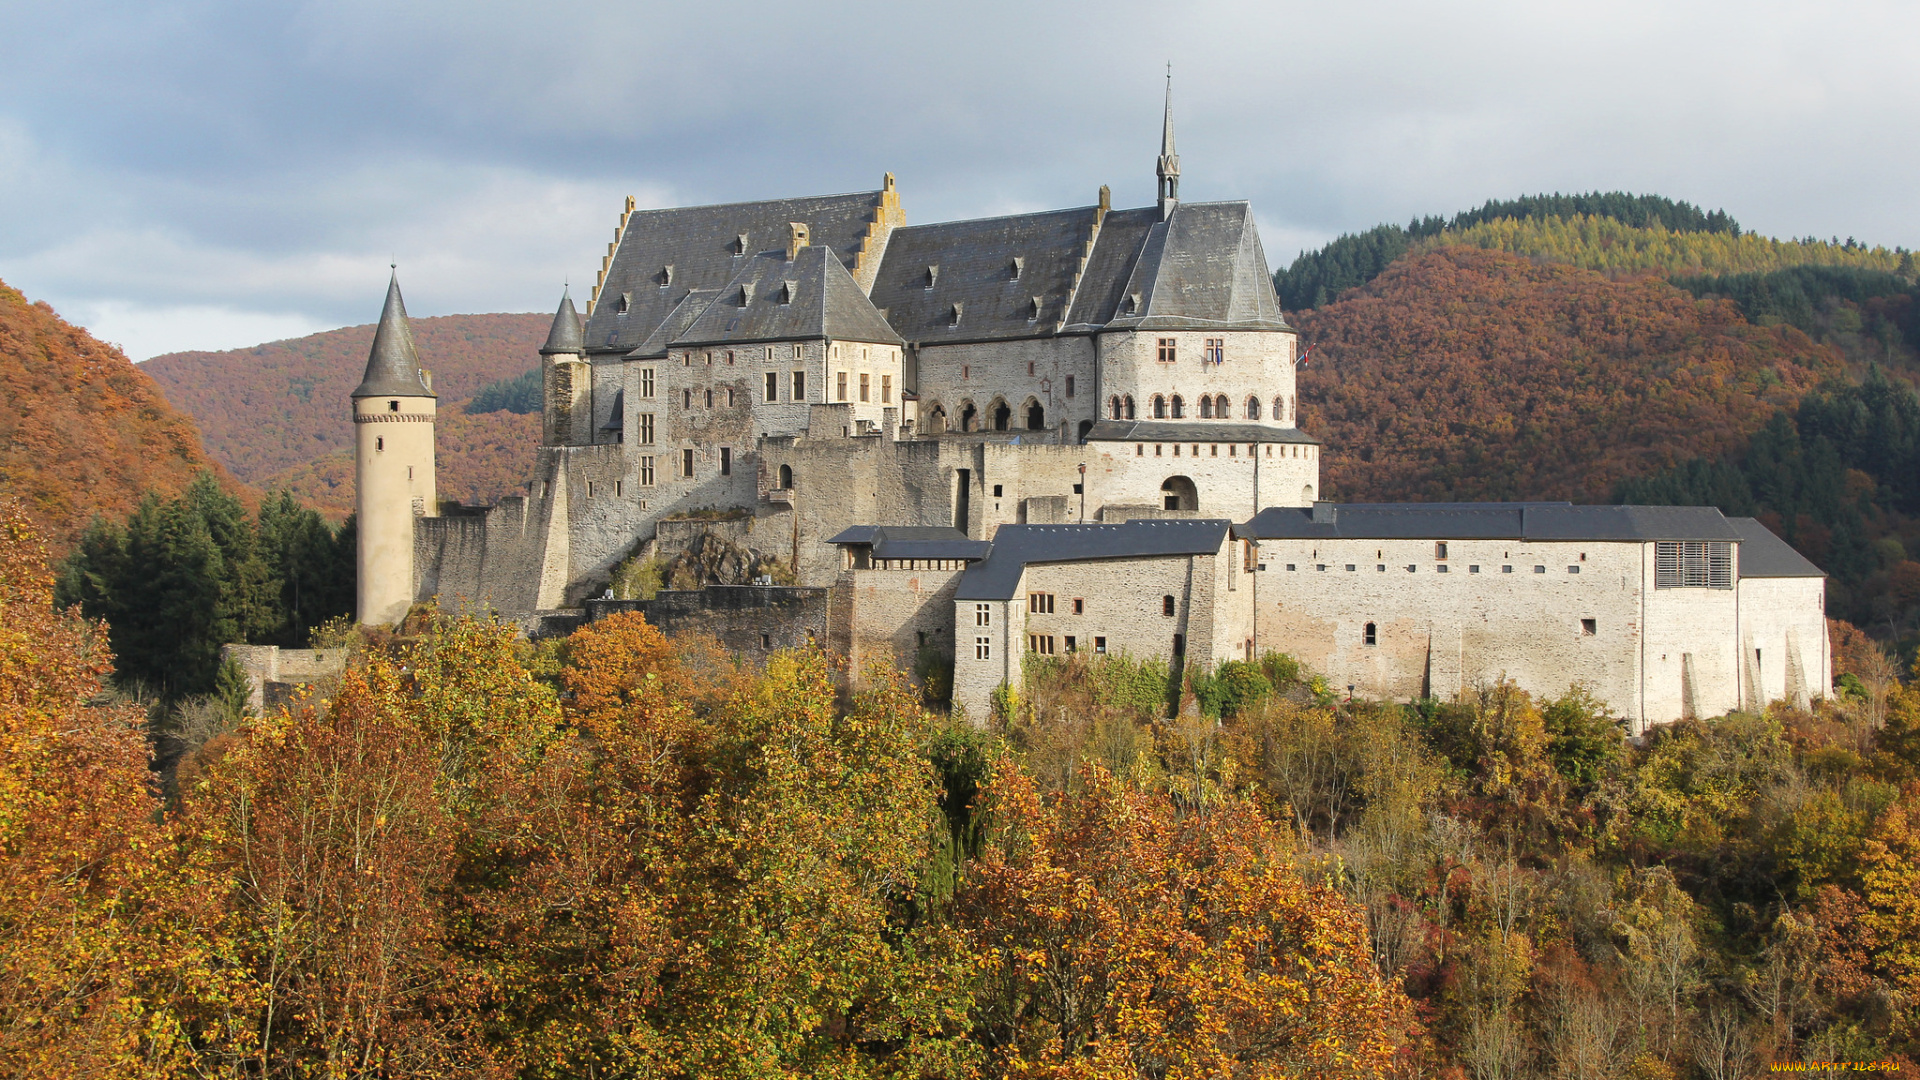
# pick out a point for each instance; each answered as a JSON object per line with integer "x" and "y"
{"x": 1044, "y": 433}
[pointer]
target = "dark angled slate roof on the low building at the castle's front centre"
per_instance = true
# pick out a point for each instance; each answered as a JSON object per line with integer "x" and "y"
{"x": 1017, "y": 547}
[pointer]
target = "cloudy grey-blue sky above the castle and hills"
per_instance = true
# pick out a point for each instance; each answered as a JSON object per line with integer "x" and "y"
{"x": 212, "y": 174}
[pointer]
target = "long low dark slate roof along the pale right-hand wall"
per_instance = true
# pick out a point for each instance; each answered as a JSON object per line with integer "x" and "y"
{"x": 1491, "y": 522}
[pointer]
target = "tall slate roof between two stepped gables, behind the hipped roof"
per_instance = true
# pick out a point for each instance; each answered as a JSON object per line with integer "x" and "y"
{"x": 700, "y": 245}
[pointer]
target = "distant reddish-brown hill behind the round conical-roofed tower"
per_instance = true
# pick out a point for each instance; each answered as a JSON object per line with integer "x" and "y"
{"x": 276, "y": 414}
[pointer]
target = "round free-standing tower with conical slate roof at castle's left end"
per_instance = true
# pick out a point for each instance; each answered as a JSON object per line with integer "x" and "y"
{"x": 393, "y": 464}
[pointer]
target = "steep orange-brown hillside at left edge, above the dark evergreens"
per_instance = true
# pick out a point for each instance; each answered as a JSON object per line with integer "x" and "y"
{"x": 84, "y": 431}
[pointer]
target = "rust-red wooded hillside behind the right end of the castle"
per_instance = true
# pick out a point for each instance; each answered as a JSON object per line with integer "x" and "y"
{"x": 1466, "y": 374}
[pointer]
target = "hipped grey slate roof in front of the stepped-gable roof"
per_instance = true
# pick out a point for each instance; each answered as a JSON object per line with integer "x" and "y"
{"x": 775, "y": 299}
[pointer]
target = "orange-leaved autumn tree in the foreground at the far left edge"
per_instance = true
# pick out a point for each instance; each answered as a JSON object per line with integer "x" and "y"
{"x": 78, "y": 845}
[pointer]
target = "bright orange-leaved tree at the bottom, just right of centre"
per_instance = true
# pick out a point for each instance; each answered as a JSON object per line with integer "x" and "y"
{"x": 1130, "y": 937}
